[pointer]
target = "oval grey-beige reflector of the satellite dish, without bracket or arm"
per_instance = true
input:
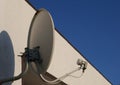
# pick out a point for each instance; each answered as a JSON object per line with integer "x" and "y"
{"x": 40, "y": 37}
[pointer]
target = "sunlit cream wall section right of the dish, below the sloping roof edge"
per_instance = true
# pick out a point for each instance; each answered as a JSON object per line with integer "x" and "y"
{"x": 64, "y": 61}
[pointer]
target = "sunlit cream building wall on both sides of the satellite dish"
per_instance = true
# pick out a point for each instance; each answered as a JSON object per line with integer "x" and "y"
{"x": 15, "y": 19}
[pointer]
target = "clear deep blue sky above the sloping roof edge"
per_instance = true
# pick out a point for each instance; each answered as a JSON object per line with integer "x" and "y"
{"x": 91, "y": 26}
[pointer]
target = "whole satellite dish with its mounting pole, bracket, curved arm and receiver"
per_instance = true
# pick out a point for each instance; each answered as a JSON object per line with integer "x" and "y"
{"x": 38, "y": 53}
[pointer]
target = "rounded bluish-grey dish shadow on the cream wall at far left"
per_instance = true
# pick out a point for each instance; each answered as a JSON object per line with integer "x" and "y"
{"x": 7, "y": 64}
